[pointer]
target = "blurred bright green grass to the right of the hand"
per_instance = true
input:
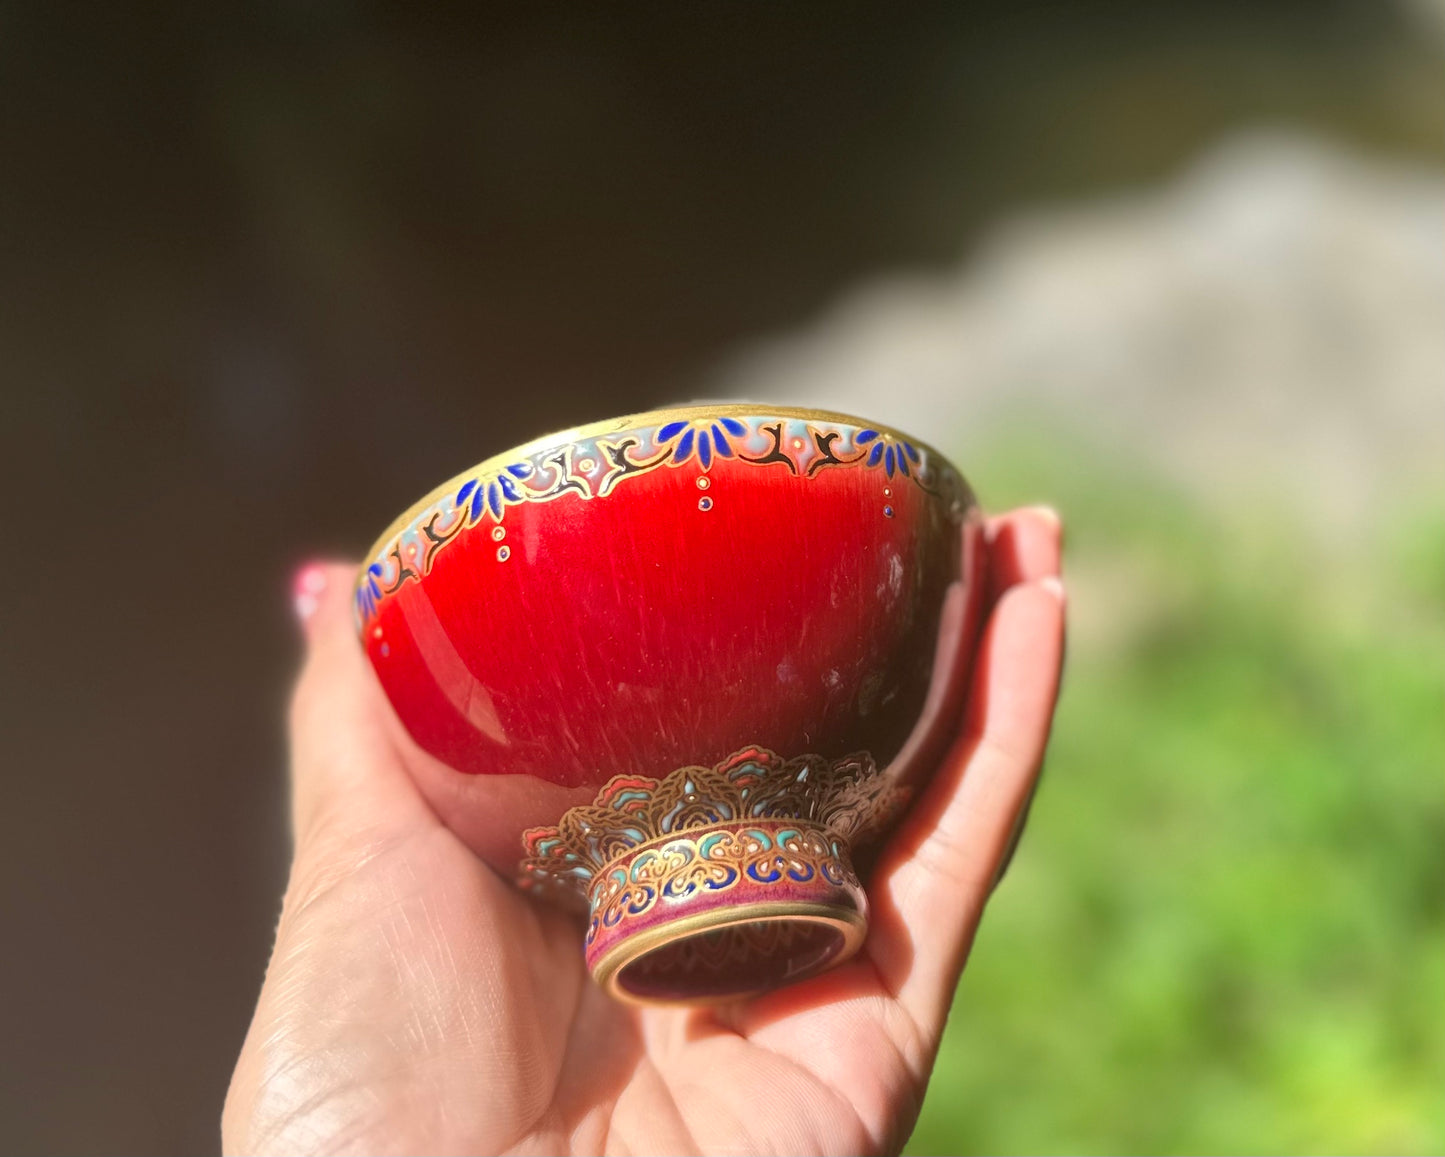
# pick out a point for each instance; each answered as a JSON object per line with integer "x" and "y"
{"x": 1226, "y": 928}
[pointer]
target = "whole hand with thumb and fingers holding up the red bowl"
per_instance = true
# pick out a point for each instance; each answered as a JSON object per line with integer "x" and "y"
{"x": 418, "y": 1003}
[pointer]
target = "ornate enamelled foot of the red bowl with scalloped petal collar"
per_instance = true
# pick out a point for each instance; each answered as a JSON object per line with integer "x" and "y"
{"x": 717, "y": 883}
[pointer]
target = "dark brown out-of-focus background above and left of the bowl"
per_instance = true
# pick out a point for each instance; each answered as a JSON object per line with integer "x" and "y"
{"x": 269, "y": 272}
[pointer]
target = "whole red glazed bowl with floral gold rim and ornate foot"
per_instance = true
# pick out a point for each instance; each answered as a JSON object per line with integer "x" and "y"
{"x": 676, "y": 667}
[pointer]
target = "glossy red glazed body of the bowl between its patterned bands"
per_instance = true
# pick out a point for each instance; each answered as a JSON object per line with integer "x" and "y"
{"x": 664, "y": 625}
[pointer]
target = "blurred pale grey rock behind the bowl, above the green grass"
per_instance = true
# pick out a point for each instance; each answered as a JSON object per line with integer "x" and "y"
{"x": 1272, "y": 321}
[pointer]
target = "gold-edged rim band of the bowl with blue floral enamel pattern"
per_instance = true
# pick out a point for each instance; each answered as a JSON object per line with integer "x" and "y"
{"x": 593, "y": 466}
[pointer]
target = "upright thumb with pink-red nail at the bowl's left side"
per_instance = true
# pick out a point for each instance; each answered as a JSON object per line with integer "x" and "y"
{"x": 348, "y": 782}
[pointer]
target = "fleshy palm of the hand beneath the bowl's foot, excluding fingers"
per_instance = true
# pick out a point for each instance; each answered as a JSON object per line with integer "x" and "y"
{"x": 466, "y": 1012}
